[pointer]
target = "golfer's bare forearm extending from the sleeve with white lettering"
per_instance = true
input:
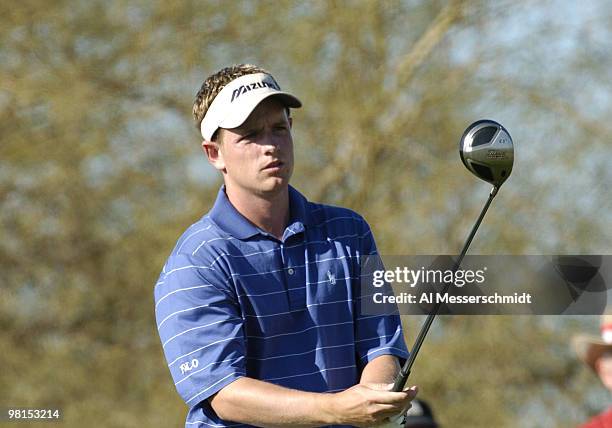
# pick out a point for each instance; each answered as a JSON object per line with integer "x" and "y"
{"x": 255, "y": 402}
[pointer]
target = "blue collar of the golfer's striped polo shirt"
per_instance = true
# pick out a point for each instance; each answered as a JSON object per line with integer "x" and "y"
{"x": 227, "y": 217}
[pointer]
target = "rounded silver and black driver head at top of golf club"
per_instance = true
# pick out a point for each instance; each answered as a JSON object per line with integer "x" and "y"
{"x": 487, "y": 150}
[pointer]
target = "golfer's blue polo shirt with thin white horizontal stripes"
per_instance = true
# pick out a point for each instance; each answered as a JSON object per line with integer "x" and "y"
{"x": 233, "y": 301}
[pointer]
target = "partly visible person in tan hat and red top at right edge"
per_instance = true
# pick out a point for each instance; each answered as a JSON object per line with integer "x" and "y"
{"x": 597, "y": 354}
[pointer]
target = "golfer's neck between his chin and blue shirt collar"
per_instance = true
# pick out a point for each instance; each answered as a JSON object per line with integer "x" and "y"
{"x": 268, "y": 212}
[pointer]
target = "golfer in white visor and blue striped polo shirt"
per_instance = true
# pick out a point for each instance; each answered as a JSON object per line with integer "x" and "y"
{"x": 258, "y": 307}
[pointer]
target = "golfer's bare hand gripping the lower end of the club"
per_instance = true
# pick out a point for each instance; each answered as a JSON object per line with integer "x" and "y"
{"x": 370, "y": 405}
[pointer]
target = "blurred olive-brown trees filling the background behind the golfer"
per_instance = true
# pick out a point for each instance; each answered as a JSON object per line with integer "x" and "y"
{"x": 100, "y": 172}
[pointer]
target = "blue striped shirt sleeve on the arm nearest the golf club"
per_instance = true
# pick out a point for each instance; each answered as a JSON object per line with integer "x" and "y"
{"x": 376, "y": 335}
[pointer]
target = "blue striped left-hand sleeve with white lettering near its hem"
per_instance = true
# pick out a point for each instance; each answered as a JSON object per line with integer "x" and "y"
{"x": 200, "y": 327}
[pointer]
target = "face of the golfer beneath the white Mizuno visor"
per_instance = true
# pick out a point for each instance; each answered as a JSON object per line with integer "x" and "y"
{"x": 257, "y": 157}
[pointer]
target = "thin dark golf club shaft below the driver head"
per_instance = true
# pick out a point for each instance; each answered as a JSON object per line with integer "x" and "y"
{"x": 402, "y": 377}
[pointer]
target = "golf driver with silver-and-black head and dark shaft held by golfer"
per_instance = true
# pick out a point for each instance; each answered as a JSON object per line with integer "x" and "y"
{"x": 486, "y": 149}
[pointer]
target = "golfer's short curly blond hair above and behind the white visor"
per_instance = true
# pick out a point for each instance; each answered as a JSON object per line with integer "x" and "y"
{"x": 213, "y": 85}
